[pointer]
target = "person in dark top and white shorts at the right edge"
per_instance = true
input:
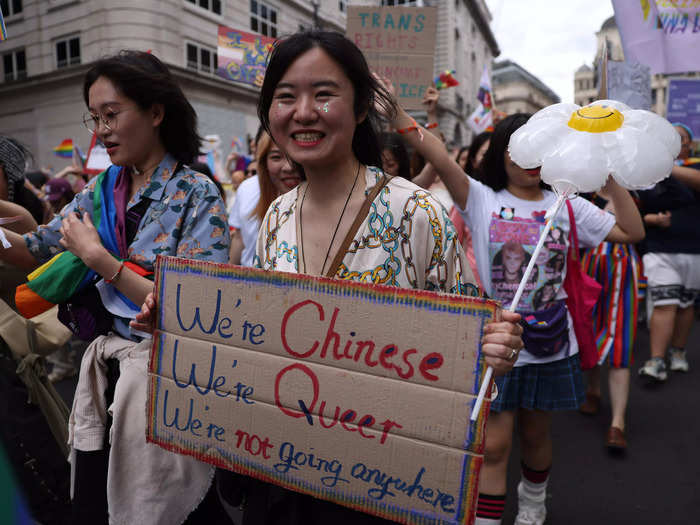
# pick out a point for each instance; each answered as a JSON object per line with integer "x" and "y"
{"x": 672, "y": 261}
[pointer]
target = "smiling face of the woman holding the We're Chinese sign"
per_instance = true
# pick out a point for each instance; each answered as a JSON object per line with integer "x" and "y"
{"x": 312, "y": 116}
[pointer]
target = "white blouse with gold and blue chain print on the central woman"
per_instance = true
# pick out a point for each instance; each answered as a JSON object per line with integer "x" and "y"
{"x": 406, "y": 241}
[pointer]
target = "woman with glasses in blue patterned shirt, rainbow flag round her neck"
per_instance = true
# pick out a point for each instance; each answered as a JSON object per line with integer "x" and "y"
{"x": 102, "y": 250}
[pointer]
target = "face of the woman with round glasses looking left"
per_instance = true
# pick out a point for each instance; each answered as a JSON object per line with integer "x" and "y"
{"x": 134, "y": 134}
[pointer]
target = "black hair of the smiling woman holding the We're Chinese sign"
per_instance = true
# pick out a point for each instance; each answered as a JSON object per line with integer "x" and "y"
{"x": 365, "y": 141}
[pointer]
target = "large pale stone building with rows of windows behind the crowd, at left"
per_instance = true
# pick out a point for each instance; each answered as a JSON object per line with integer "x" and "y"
{"x": 52, "y": 43}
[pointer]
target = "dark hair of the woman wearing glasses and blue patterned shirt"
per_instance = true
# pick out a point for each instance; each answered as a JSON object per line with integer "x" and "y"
{"x": 144, "y": 79}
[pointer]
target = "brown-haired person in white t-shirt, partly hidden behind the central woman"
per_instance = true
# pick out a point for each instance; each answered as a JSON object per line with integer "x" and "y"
{"x": 276, "y": 176}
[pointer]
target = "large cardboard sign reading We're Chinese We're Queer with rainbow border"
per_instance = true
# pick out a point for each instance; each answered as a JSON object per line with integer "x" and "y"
{"x": 354, "y": 393}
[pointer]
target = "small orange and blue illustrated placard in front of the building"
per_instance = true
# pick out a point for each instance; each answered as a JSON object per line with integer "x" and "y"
{"x": 242, "y": 57}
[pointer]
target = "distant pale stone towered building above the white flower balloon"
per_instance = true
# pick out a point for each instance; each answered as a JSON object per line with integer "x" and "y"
{"x": 609, "y": 35}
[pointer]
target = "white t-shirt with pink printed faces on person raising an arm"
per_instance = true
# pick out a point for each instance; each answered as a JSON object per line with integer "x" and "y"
{"x": 505, "y": 230}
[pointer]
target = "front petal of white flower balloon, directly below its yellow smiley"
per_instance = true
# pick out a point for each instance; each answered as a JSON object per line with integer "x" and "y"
{"x": 578, "y": 164}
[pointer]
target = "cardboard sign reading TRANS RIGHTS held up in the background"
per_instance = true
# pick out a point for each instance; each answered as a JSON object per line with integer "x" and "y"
{"x": 398, "y": 43}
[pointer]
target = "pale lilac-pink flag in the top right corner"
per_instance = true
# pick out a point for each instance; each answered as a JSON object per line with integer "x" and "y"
{"x": 661, "y": 34}
